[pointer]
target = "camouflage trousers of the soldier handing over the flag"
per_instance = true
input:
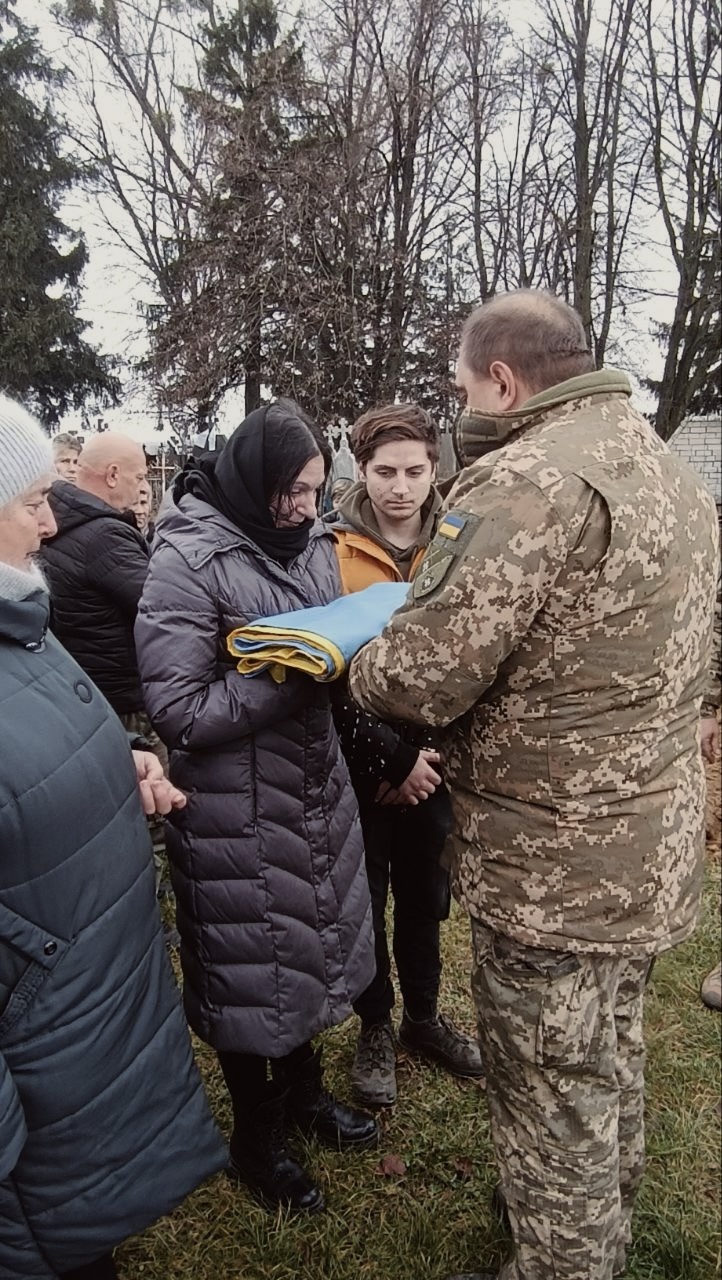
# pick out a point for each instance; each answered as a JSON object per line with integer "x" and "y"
{"x": 563, "y": 1044}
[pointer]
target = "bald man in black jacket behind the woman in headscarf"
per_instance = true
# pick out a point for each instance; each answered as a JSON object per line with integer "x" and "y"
{"x": 97, "y": 566}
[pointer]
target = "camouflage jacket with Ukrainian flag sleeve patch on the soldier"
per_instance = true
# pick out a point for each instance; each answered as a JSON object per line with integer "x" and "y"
{"x": 560, "y": 628}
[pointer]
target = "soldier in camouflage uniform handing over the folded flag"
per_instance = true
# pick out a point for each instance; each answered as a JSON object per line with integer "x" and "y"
{"x": 560, "y": 630}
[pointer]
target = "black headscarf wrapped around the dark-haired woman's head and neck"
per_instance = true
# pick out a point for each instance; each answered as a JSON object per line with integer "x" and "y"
{"x": 259, "y": 463}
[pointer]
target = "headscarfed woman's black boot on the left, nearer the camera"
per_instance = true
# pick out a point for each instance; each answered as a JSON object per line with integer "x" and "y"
{"x": 261, "y": 1159}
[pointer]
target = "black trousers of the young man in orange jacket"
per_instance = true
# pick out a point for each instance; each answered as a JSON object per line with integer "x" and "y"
{"x": 404, "y": 848}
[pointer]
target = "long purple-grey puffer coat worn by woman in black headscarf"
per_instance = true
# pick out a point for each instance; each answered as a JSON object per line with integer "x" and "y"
{"x": 267, "y": 858}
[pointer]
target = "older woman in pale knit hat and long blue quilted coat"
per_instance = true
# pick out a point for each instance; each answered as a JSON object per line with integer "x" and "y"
{"x": 104, "y": 1126}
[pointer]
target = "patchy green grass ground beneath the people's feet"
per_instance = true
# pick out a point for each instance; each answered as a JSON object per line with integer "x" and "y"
{"x": 431, "y": 1215}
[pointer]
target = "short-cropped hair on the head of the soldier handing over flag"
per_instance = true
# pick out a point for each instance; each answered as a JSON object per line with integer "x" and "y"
{"x": 533, "y": 332}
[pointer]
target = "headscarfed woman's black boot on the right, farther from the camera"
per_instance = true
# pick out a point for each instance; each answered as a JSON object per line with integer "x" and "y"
{"x": 318, "y": 1113}
